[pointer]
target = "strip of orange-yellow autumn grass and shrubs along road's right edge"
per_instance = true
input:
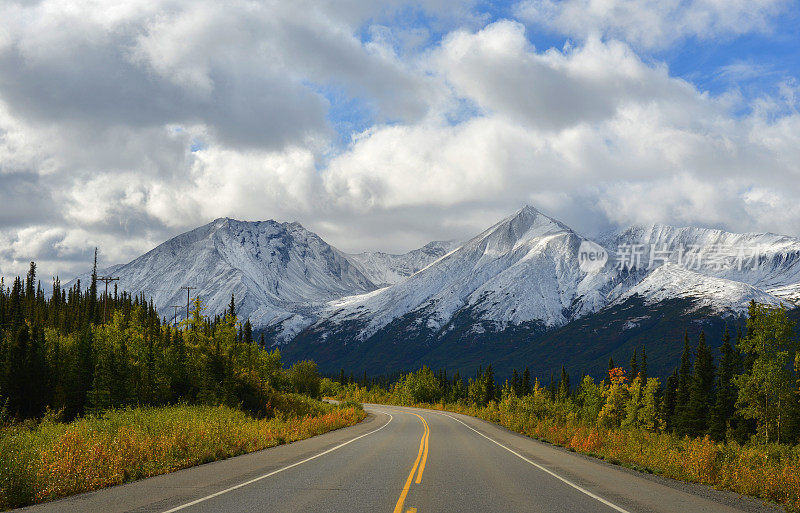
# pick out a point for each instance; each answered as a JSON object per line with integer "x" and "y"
{"x": 770, "y": 472}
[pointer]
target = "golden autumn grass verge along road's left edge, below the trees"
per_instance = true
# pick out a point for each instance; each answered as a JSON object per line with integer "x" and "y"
{"x": 51, "y": 459}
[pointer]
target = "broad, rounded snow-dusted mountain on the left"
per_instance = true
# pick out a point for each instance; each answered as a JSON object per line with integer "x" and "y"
{"x": 275, "y": 270}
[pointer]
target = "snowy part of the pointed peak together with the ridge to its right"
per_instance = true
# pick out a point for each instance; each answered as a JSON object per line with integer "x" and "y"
{"x": 522, "y": 277}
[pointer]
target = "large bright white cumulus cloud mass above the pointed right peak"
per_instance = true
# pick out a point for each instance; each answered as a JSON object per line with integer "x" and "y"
{"x": 641, "y": 147}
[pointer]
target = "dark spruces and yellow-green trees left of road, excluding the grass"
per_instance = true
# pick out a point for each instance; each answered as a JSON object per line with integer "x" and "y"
{"x": 77, "y": 351}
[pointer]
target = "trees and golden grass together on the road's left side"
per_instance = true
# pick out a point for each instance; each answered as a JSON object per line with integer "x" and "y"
{"x": 97, "y": 390}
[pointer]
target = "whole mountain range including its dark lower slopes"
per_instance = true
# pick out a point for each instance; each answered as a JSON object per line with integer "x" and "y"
{"x": 503, "y": 292}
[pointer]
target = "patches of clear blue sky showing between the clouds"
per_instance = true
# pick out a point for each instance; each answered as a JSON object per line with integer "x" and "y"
{"x": 752, "y": 65}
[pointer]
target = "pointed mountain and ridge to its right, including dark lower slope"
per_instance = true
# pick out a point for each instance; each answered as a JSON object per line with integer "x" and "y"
{"x": 515, "y": 287}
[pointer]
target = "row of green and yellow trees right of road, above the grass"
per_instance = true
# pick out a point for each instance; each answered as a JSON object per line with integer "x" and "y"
{"x": 750, "y": 392}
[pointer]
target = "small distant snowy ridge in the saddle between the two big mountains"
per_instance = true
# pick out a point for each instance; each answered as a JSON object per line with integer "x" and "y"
{"x": 385, "y": 269}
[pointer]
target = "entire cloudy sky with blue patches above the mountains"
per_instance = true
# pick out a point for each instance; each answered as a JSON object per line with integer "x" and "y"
{"x": 384, "y": 125}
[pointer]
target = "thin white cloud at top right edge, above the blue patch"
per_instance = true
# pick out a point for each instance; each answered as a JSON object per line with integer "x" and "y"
{"x": 653, "y": 23}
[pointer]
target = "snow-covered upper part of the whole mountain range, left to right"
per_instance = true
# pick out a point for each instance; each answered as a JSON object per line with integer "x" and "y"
{"x": 522, "y": 269}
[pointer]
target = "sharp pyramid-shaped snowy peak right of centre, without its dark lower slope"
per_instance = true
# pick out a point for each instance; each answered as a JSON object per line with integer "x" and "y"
{"x": 523, "y": 269}
